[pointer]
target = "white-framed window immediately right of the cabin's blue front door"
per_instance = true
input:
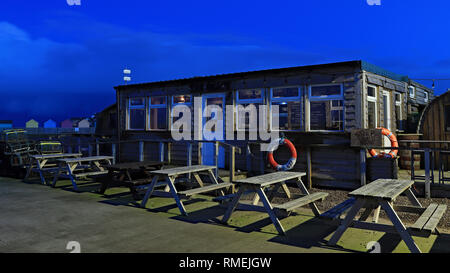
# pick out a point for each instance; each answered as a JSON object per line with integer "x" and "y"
{"x": 247, "y": 98}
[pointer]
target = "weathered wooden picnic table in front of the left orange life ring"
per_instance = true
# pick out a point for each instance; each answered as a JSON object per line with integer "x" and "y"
{"x": 259, "y": 184}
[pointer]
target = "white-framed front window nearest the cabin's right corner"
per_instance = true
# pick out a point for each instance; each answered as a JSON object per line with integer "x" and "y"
{"x": 326, "y": 107}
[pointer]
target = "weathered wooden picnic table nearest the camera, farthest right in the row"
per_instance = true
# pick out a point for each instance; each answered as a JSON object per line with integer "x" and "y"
{"x": 382, "y": 193}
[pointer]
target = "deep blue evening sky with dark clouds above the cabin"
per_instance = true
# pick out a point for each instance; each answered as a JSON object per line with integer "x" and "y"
{"x": 59, "y": 61}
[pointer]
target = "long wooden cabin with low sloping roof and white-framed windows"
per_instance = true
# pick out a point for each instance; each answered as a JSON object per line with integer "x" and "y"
{"x": 319, "y": 106}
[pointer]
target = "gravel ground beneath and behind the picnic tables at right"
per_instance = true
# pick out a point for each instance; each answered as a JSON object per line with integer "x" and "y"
{"x": 338, "y": 196}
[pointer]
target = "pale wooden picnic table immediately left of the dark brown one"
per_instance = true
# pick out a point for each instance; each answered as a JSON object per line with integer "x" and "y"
{"x": 73, "y": 169}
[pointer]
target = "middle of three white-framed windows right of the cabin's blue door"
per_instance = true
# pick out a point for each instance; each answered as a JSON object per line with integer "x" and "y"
{"x": 289, "y": 108}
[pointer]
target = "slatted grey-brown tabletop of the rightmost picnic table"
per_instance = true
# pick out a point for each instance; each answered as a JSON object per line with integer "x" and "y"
{"x": 387, "y": 189}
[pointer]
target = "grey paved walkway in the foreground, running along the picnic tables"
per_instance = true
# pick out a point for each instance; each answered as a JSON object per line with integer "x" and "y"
{"x": 37, "y": 218}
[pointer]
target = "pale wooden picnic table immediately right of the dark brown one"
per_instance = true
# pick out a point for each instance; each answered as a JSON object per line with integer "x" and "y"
{"x": 169, "y": 177}
